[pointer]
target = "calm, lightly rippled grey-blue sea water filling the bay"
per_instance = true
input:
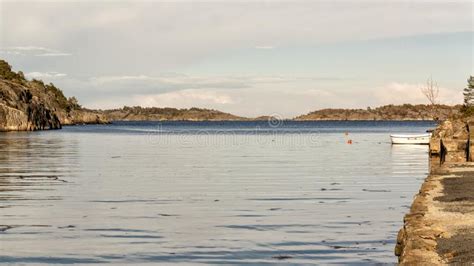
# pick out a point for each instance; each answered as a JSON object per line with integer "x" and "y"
{"x": 207, "y": 192}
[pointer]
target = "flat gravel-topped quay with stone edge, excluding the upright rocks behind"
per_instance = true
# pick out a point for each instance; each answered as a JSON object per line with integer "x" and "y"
{"x": 439, "y": 229}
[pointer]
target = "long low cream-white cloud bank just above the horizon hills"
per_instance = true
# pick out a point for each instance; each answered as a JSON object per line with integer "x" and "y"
{"x": 263, "y": 98}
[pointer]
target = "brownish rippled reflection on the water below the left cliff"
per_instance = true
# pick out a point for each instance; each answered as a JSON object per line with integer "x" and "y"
{"x": 31, "y": 164}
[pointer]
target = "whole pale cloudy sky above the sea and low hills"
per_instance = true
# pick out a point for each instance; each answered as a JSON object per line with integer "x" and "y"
{"x": 245, "y": 57}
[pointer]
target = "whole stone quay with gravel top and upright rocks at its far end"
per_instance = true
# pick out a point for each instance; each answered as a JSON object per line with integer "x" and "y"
{"x": 439, "y": 228}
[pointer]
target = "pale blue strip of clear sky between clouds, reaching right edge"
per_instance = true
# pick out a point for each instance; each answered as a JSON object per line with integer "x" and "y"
{"x": 379, "y": 59}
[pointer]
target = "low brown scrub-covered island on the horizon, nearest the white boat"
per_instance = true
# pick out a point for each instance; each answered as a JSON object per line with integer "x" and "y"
{"x": 387, "y": 112}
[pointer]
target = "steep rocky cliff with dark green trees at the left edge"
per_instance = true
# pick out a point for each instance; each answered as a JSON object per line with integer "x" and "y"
{"x": 32, "y": 105}
